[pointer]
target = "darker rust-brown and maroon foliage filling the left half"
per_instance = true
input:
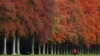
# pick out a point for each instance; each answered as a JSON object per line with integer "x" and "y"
{"x": 26, "y": 17}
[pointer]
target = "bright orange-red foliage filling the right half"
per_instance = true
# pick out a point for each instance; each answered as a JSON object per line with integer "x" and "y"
{"x": 82, "y": 20}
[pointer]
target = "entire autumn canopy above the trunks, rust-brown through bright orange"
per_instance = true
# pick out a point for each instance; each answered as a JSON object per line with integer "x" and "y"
{"x": 57, "y": 20}
